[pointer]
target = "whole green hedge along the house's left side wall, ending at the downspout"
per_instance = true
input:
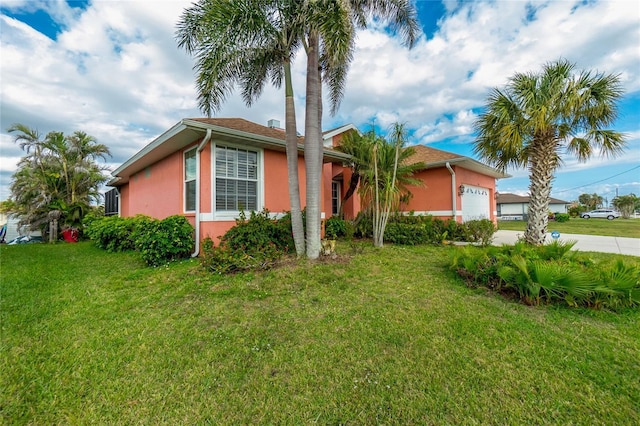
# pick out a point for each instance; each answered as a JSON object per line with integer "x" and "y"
{"x": 158, "y": 241}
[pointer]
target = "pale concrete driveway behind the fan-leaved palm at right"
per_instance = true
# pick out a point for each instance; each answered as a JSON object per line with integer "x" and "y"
{"x": 619, "y": 245}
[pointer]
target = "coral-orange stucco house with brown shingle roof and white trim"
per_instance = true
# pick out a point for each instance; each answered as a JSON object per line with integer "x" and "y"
{"x": 209, "y": 169}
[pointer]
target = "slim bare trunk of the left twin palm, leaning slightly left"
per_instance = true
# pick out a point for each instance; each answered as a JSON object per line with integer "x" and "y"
{"x": 297, "y": 226}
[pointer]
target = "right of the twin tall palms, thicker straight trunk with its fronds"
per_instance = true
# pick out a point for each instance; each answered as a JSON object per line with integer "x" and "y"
{"x": 329, "y": 45}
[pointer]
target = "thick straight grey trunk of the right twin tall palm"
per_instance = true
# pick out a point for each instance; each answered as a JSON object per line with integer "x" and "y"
{"x": 313, "y": 146}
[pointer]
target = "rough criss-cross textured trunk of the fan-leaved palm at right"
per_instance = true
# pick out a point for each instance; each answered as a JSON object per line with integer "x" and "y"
{"x": 542, "y": 164}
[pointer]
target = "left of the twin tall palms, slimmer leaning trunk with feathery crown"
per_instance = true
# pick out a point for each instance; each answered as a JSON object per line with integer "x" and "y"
{"x": 248, "y": 43}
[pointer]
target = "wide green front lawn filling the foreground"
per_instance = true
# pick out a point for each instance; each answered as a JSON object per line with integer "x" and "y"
{"x": 390, "y": 337}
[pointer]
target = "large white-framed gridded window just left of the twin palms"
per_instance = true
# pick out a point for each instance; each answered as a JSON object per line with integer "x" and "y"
{"x": 236, "y": 183}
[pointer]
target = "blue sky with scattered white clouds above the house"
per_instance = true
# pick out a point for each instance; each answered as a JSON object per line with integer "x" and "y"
{"x": 112, "y": 69}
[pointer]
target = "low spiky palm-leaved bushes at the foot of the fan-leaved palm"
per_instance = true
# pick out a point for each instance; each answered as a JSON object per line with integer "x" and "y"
{"x": 549, "y": 274}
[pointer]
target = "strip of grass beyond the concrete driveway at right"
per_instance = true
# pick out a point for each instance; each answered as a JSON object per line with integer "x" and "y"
{"x": 613, "y": 228}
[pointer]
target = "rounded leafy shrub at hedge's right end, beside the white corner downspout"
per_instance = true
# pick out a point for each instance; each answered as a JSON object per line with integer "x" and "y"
{"x": 162, "y": 241}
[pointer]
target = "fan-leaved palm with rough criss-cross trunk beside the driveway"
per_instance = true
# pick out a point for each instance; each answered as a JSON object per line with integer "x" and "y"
{"x": 539, "y": 116}
